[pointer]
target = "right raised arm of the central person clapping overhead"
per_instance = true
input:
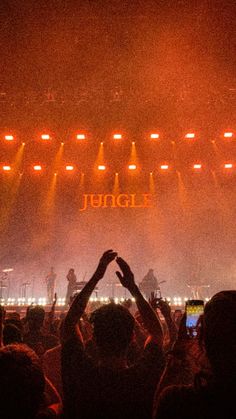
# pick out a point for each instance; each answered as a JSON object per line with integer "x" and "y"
{"x": 149, "y": 317}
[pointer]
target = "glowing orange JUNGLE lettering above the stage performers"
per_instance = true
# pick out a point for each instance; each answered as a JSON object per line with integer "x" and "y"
{"x": 144, "y": 200}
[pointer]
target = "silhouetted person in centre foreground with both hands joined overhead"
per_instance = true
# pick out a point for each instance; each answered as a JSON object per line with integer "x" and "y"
{"x": 110, "y": 389}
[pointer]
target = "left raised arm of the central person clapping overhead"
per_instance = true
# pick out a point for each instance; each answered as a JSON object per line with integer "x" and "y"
{"x": 78, "y": 306}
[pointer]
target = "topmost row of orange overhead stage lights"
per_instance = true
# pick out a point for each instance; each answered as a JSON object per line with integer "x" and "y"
{"x": 118, "y": 136}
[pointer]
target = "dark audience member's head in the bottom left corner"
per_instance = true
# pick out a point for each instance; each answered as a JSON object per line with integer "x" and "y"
{"x": 22, "y": 382}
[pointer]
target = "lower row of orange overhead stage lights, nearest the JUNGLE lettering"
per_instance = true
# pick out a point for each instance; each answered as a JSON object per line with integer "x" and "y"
{"x": 197, "y": 167}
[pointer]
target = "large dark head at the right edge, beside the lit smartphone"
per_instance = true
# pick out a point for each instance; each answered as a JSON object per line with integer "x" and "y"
{"x": 220, "y": 333}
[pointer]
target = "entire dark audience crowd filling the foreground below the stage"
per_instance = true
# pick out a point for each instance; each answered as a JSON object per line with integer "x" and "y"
{"x": 131, "y": 360}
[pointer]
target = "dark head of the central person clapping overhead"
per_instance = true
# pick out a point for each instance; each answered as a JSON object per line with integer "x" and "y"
{"x": 113, "y": 329}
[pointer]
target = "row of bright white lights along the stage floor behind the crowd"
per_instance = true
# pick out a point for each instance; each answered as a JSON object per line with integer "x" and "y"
{"x": 42, "y": 301}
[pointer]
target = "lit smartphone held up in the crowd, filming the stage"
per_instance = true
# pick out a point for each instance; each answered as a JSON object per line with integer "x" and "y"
{"x": 194, "y": 309}
